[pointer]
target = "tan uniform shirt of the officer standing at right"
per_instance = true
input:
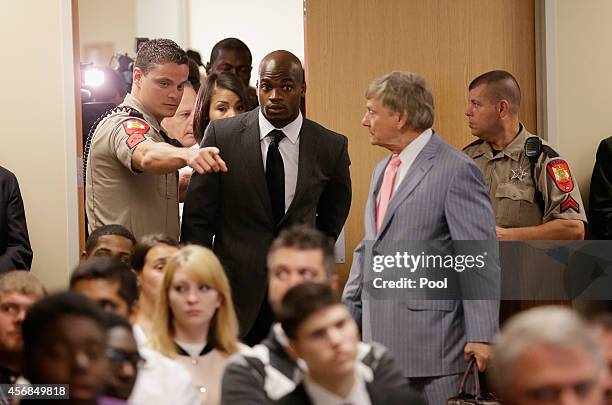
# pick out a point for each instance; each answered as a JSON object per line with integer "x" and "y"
{"x": 512, "y": 186}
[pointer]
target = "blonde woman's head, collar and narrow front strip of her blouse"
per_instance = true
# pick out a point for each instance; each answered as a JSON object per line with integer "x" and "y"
{"x": 194, "y": 320}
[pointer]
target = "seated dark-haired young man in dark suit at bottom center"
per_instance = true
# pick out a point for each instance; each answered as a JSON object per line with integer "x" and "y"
{"x": 322, "y": 333}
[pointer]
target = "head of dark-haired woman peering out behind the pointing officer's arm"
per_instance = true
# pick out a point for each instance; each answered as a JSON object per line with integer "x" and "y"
{"x": 221, "y": 96}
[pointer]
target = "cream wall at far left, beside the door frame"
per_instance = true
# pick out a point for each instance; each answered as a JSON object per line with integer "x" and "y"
{"x": 39, "y": 128}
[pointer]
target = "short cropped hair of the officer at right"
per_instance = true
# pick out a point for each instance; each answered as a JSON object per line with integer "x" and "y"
{"x": 501, "y": 85}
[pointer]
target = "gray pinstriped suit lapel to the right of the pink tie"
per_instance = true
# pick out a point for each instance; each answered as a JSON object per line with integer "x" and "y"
{"x": 419, "y": 168}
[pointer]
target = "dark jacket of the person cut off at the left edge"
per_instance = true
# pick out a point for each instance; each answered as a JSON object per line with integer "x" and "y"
{"x": 15, "y": 250}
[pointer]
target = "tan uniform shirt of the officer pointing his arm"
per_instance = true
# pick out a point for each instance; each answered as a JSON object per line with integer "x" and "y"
{"x": 144, "y": 203}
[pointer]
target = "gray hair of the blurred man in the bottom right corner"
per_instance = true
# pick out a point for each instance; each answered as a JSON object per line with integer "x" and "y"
{"x": 547, "y": 325}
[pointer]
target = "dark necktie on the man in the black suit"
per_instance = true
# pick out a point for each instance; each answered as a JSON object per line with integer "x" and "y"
{"x": 275, "y": 175}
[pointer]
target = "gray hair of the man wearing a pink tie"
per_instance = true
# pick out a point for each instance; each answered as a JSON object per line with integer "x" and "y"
{"x": 406, "y": 93}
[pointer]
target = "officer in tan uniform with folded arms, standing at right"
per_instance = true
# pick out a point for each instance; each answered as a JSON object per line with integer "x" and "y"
{"x": 535, "y": 198}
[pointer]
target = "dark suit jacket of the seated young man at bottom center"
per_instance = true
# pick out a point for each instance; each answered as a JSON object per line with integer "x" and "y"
{"x": 379, "y": 395}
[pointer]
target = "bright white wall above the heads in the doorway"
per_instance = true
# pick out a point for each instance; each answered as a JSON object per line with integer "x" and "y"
{"x": 264, "y": 25}
